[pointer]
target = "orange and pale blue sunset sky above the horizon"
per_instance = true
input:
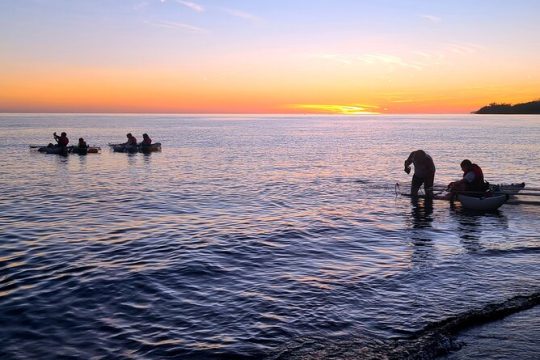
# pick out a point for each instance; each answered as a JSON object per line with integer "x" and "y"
{"x": 267, "y": 56}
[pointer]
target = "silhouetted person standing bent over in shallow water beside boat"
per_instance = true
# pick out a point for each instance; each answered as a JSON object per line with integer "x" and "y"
{"x": 424, "y": 172}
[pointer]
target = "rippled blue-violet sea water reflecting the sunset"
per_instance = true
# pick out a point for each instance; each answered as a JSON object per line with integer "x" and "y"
{"x": 256, "y": 237}
